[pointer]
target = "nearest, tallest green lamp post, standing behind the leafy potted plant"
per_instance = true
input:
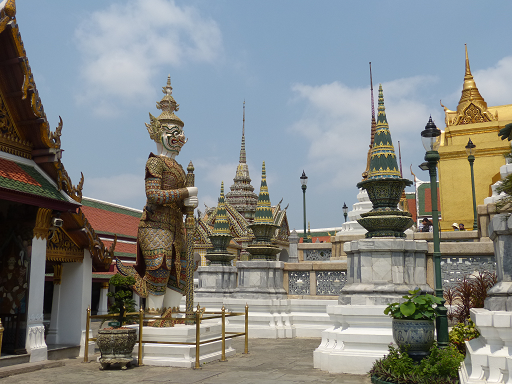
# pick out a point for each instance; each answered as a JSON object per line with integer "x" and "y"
{"x": 430, "y": 138}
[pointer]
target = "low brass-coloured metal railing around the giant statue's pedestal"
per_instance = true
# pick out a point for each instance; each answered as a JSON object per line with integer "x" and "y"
{"x": 199, "y": 317}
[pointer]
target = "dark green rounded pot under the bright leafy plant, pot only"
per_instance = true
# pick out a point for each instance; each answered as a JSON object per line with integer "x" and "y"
{"x": 417, "y": 335}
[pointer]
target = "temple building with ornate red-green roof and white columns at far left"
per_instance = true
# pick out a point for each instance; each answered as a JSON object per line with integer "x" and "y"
{"x": 44, "y": 232}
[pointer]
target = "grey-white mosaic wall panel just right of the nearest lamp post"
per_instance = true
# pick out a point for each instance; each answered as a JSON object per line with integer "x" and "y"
{"x": 454, "y": 268}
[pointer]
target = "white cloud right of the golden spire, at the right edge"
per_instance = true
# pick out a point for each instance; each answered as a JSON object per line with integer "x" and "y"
{"x": 494, "y": 83}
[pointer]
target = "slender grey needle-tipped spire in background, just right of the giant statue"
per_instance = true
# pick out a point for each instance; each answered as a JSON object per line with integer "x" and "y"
{"x": 242, "y": 196}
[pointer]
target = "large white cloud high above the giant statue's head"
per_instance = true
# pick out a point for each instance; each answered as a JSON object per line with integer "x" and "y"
{"x": 124, "y": 45}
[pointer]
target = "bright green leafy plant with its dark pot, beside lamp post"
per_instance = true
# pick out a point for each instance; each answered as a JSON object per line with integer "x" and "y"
{"x": 413, "y": 322}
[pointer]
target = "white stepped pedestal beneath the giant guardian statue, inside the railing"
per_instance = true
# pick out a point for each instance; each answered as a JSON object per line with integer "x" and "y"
{"x": 184, "y": 356}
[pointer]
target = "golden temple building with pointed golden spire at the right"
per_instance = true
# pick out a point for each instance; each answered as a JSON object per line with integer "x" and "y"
{"x": 474, "y": 120}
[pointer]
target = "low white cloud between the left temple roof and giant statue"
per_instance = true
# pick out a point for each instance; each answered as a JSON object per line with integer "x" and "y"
{"x": 125, "y": 189}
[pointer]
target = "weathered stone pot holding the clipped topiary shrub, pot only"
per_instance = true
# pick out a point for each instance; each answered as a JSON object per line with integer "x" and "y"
{"x": 116, "y": 346}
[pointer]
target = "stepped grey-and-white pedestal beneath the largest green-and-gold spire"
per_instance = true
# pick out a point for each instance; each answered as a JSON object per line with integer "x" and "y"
{"x": 379, "y": 271}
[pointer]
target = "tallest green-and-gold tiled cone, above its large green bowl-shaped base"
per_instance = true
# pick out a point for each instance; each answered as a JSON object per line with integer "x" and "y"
{"x": 383, "y": 162}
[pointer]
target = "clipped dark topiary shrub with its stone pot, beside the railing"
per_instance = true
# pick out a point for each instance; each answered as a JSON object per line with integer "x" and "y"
{"x": 116, "y": 342}
